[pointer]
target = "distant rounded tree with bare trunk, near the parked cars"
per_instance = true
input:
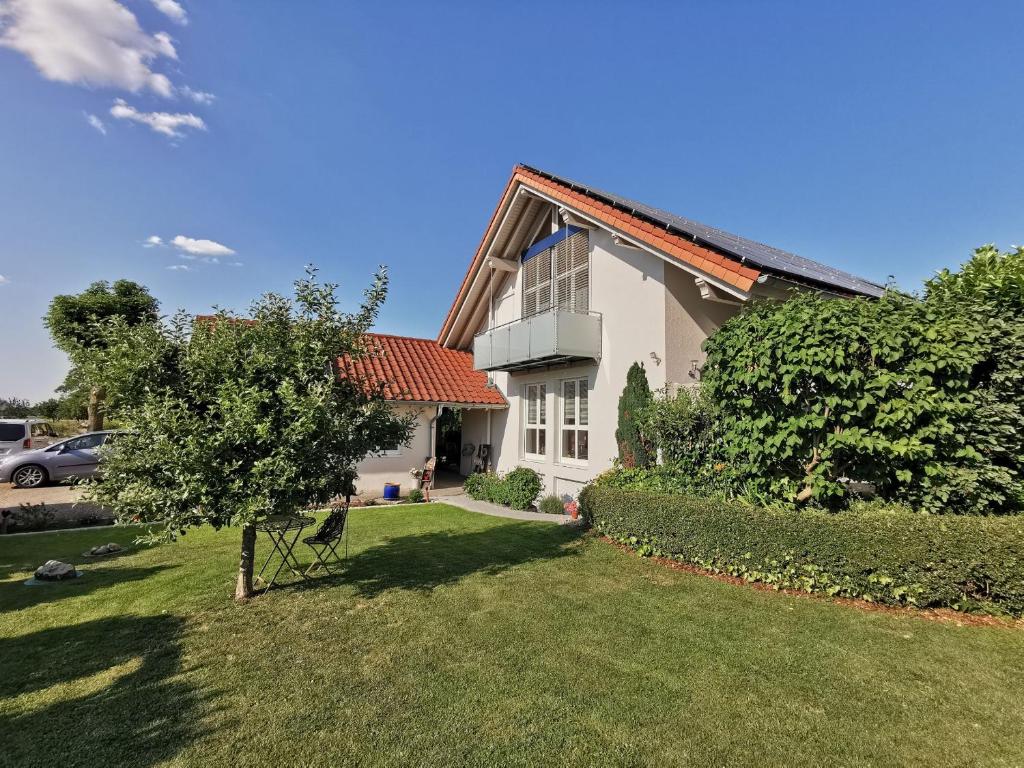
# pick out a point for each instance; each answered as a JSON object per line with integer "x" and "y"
{"x": 77, "y": 325}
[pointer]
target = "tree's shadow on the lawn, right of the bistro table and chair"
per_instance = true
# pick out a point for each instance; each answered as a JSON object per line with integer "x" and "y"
{"x": 425, "y": 562}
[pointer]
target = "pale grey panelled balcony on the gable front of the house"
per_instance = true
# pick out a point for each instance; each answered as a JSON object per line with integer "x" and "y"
{"x": 545, "y": 339}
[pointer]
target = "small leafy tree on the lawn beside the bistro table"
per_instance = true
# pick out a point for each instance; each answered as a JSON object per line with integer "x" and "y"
{"x": 230, "y": 421}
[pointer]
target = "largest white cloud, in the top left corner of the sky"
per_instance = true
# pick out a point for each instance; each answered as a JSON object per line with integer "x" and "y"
{"x": 88, "y": 42}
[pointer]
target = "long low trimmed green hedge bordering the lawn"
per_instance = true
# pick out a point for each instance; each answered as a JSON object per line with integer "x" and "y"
{"x": 895, "y": 558}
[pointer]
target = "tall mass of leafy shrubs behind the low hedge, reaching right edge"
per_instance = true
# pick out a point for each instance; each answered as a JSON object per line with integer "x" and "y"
{"x": 923, "y": 399}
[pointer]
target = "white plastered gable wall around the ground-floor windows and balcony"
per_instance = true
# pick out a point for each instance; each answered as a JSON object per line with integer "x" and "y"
{"x": 628, "y": 288}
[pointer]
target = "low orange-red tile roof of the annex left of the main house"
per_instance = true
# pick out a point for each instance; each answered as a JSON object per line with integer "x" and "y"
{"x": 422, "y": 371}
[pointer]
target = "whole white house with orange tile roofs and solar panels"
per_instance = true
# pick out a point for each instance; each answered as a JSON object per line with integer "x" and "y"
{"x": 569, "y": 288}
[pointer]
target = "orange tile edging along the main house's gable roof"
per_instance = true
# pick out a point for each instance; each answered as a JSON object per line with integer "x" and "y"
{"x": 724, "y": 268}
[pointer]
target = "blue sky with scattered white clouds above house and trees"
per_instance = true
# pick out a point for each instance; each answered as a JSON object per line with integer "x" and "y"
{"x": 884, "y": 139}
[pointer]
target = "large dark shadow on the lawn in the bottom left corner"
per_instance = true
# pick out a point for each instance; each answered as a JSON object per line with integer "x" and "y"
{"x": 140, "y": 717}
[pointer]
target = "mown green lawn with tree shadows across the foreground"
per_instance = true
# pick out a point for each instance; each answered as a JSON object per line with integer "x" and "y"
{"x": 459, "y": 639}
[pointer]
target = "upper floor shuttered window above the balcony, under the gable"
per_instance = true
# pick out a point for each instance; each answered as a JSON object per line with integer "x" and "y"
{"x": 558, "y": 276}
